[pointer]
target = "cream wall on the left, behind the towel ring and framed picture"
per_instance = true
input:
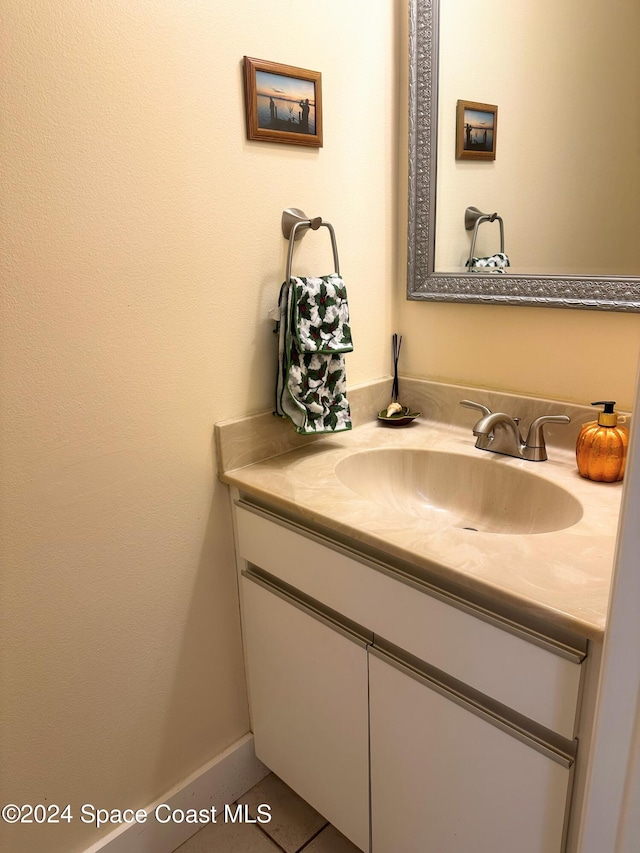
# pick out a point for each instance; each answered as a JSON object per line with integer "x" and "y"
{"x": 143, "y": 253}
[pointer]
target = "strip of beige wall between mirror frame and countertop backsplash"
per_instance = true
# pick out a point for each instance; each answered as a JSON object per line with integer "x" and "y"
{"x": 578, "y": 356}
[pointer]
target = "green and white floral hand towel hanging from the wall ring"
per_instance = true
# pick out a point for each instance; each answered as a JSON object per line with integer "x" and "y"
{"x": 314, "y": 335}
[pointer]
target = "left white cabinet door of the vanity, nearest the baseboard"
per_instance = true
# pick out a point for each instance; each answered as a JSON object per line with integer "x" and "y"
{"x": 309, "y": 706}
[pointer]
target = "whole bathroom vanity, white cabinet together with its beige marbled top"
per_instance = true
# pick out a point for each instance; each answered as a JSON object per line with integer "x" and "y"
{"x": 427, "y": 684}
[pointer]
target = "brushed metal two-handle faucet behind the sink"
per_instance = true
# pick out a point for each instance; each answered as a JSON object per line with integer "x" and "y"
{"x": 500, "y": 433}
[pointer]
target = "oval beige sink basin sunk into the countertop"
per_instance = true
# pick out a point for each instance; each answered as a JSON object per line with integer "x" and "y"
{"x": 483, "y": 493}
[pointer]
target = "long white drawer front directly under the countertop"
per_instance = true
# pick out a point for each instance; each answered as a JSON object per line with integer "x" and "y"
{"x": 539, "y": 680}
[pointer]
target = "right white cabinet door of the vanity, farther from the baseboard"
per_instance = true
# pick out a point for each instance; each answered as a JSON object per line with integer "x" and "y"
{"x": 444, "y": 780}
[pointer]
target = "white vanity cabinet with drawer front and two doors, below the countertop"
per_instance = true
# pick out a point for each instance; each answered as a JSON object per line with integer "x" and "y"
{"x": 367, "y": 681}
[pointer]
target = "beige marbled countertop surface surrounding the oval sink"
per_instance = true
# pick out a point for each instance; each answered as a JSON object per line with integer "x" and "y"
{"x": 562, "y": 577}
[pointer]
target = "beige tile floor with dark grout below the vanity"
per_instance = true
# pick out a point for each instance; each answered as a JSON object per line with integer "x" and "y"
{"x": 294, "y": 827}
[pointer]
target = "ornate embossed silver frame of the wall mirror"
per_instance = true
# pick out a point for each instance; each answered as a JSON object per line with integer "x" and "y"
{"x": 423, "y": 283}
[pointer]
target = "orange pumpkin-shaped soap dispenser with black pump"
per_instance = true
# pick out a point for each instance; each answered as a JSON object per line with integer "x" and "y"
{"x": 601, "y": 449}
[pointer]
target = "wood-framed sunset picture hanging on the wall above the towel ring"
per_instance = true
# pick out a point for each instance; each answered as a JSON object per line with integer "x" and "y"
{"x": 282, "y": 103}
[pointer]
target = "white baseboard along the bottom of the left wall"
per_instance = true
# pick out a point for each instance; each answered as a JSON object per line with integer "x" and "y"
{"x": 220, "y": 782}
